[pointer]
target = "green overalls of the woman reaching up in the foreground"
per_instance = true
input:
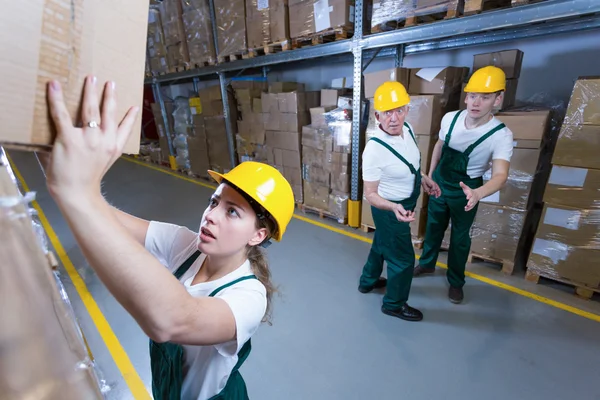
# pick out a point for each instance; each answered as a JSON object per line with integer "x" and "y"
{"x": 166, "y": 359}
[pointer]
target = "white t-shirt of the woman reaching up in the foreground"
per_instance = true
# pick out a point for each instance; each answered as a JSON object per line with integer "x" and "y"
{"x": 207, "y": 368}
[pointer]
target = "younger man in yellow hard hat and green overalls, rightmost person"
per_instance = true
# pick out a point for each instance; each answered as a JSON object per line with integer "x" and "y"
{"x": 469, "y": 140}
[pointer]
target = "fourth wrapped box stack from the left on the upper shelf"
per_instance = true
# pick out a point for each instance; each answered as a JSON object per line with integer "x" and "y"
{"x": 231, "y": 26}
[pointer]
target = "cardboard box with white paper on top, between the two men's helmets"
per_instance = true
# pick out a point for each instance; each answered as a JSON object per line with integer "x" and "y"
{"x": 442, "y": 80}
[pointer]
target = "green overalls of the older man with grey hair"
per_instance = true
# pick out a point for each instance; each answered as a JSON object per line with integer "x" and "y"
{"x": 393, "y": 243}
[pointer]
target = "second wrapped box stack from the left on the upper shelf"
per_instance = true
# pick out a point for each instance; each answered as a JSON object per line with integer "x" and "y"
{"x": 178, "y": 55}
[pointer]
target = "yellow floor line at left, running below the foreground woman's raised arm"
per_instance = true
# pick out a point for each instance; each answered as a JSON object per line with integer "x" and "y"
{"x": 133, "y": 380}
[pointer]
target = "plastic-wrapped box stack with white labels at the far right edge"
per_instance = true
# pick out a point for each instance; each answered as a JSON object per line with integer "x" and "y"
{"x": 567, "y": 243}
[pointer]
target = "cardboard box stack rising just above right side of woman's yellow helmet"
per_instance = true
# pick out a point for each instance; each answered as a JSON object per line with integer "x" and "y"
{"x": 286, "y": 108}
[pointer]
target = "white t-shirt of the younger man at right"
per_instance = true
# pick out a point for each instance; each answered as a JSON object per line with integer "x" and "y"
{"x": 499, "y": 146}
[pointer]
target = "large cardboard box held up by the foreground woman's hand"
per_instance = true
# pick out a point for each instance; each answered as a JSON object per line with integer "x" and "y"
{"x": 45, "y": 45}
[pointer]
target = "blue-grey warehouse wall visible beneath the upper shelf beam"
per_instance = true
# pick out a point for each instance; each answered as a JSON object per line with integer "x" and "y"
{"x": 550, "y": 64}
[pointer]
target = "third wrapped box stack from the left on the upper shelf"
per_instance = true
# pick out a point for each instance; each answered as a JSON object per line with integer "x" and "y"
{"x": 198, "y": 30}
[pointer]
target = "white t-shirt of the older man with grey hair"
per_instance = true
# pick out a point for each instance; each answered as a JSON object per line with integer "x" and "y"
{"x": 396, "y": 182}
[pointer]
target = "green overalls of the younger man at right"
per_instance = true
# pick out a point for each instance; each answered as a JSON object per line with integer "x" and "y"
{"x": 450, "y": 206}
